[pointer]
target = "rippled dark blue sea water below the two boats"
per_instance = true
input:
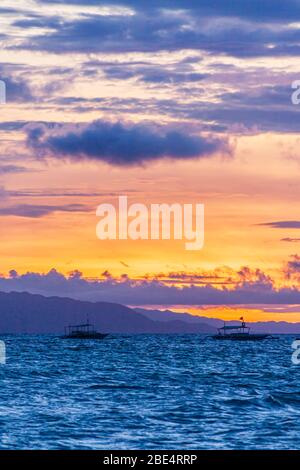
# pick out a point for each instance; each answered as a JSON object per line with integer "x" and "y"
{"x": 149, "y": 392}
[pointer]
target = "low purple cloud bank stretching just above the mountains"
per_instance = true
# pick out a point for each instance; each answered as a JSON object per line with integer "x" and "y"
{"x": 259, "y": 290}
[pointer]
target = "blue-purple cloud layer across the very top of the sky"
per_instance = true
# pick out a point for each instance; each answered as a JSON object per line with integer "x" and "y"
{"x": 246, "y": 30}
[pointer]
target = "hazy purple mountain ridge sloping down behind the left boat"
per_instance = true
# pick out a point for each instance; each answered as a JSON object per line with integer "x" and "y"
{"x": 35, "y": 314}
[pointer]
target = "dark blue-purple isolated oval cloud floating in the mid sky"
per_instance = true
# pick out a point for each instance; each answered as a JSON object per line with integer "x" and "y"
{"x": 118, "y": 144}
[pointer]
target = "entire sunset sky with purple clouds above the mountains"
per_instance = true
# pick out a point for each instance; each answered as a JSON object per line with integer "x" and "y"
{"x": 162, "y": 101}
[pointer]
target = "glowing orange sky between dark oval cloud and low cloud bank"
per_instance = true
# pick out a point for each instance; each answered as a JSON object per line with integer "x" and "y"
{"x": 237, "y": 195}
